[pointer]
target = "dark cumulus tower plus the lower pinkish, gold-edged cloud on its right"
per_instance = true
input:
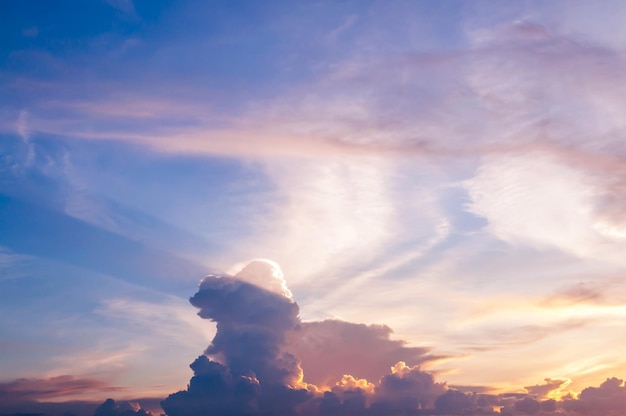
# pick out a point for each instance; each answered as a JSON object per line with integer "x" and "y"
{"x": 251, "y": 368}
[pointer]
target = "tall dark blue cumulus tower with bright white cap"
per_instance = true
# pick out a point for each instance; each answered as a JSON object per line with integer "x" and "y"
{"x": 249, "y": 372}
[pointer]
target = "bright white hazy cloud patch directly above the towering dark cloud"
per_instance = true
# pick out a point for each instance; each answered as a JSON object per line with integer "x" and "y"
{"x": 327, "y": 212}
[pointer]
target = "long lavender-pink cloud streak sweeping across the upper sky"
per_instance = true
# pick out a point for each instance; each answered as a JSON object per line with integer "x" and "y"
{"x": 290, "y": 122}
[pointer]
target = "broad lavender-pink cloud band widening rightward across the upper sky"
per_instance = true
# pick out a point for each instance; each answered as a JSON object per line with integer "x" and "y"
{"x": 398, "y": 104}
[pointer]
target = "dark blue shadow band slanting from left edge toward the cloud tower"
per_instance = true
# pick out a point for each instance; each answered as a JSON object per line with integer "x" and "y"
{"x": 40, "y": 231}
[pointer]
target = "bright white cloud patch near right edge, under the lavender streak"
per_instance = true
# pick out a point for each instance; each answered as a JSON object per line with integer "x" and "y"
{"x": 533, "y": 200}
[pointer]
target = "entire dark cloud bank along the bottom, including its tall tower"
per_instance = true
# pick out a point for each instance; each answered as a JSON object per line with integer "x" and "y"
{"x": 265, "y": 361}
